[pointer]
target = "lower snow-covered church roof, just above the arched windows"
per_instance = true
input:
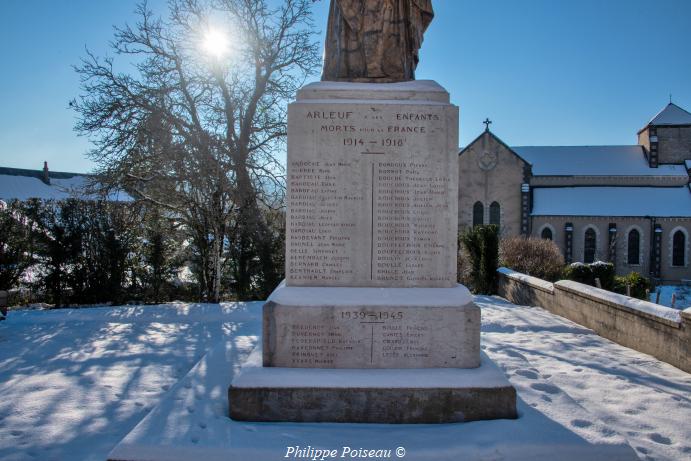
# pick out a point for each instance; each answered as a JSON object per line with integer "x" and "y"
{"x": 612, "y": 201}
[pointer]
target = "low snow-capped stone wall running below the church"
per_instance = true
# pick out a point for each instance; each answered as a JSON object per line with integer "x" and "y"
{"x": 662, "y": 332}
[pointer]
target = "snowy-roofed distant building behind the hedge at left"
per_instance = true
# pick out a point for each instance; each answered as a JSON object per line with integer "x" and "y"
{"x": 21, "y": 184}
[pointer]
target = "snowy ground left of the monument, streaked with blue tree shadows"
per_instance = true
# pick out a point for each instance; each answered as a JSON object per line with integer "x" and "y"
{"x": 73, "y": 383}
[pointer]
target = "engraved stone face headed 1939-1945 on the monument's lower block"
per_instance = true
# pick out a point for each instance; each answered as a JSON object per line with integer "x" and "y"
{"x": 373, "y": 337}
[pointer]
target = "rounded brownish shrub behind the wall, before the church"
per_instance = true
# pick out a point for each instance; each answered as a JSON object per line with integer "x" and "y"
{"x": 532, "y": 256}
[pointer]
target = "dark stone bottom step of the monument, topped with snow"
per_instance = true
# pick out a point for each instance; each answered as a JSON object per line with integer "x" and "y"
{"x": 393, "y": 396}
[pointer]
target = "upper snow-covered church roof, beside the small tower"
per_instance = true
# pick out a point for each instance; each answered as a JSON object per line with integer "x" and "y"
{"x": 593, "y": 161}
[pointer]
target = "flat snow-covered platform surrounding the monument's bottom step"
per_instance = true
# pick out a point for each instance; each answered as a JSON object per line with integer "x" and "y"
{"x": 191, "y": 423}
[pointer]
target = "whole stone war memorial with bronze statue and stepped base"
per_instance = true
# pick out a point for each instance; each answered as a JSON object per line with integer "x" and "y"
{"x": 370, "y": 324}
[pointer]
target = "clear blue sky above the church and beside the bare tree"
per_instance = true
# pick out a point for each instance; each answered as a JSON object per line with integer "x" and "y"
{"x": 547, "y": 72}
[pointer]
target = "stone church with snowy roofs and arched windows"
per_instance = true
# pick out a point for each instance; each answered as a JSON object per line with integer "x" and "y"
{"x": 630, "y": 205}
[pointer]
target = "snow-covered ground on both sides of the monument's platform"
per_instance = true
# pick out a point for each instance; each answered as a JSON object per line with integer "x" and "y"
{"x": 73, "y": 383}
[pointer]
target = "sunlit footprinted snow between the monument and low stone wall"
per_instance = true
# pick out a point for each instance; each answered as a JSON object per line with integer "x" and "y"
{"x": 641, "y": 398}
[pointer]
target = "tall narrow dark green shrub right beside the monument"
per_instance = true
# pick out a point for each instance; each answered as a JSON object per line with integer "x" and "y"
{"x": 482, "y": 246}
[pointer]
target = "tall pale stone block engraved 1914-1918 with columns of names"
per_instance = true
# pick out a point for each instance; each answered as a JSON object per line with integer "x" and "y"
{"x": 372, "y": 186}
